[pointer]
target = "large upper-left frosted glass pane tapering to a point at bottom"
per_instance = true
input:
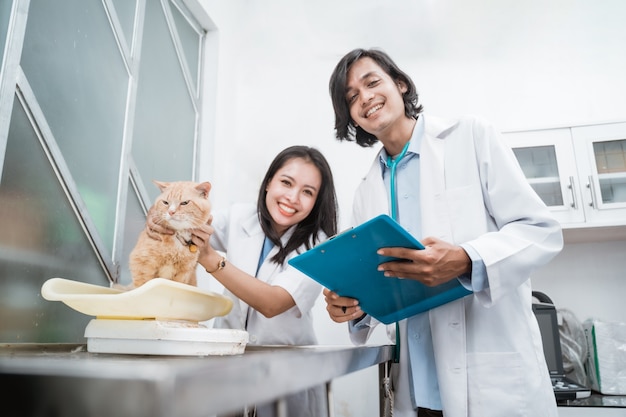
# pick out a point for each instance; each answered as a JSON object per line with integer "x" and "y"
{"x": 82, "y": 93}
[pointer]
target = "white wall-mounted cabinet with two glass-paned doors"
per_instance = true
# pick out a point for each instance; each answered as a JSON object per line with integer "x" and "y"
{"x": 578, "y": 171}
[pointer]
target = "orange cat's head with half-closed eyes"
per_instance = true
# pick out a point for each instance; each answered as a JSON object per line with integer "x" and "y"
{"x": 183, "y": 204}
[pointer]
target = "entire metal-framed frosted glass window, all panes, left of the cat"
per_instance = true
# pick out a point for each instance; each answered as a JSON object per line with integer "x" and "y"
{"x": 79, "y": 89}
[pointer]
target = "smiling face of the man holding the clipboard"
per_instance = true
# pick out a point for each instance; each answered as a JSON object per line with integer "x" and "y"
{"x": 374, "y": 98}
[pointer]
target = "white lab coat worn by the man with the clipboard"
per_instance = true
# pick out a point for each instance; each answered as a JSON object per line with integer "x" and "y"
{"x": 487, "y": 345}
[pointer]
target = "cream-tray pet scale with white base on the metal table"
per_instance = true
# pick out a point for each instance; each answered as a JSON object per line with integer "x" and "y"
{"x": 162, "y": 317}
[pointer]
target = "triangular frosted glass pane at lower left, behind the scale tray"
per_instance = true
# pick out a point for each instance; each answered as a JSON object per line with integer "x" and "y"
{"x": 41, "y": 238}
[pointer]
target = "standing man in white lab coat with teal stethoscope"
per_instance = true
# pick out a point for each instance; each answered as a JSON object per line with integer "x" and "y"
{"x": 459, "y": 189}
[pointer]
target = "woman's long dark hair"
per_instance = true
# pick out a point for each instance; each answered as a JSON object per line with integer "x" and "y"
{"x": 323, "y": 216}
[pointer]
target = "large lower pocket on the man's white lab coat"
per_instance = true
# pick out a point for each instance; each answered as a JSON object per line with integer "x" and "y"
{"x": 496, "y": 385}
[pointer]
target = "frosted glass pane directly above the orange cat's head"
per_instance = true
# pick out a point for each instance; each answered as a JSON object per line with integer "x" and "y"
{"x": 164, "y": 137}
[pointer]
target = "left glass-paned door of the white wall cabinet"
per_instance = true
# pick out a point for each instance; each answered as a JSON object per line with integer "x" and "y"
{"x": 547, "y": 159}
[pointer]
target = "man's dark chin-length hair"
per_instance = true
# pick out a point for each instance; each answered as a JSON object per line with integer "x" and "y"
{"x": 344, "y": 126}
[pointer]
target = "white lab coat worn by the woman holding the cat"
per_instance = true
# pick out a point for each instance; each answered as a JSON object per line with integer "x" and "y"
{"x": 239, "y": 235}
